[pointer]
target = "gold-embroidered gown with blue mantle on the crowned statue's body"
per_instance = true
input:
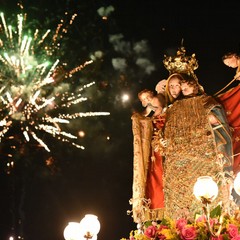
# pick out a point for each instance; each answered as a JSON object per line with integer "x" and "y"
{"x": 194, "y": 149}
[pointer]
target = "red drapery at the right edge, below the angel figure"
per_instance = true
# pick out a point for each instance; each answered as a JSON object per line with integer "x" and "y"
{"x": 231, "y": 103}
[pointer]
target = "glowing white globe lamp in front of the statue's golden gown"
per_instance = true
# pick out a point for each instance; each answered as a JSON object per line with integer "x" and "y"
{"x": 205, "y": 188}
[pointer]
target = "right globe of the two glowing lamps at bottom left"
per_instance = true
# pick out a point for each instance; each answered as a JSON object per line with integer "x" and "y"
{"x": 90, "y": 226}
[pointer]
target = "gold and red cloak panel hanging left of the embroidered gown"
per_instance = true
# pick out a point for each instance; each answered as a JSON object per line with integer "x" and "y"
{"x": 147, "y": 199}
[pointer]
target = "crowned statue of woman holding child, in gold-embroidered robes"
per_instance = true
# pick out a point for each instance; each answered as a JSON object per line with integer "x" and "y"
{"x": 190, "y": 137}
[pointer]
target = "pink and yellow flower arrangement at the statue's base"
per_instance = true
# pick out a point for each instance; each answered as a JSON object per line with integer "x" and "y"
{"x": 217, "y": 227}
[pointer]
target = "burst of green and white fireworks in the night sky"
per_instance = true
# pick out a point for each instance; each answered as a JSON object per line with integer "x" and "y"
{"x": 35, "y": 93}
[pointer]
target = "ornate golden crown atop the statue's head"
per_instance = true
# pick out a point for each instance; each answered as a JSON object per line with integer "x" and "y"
{"x": 181, "y": 63}
